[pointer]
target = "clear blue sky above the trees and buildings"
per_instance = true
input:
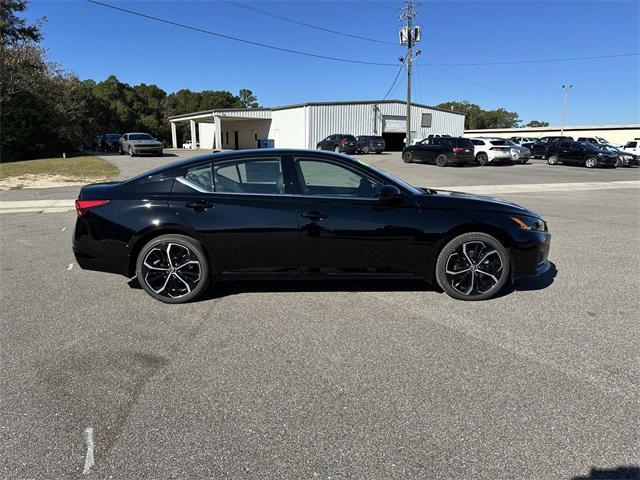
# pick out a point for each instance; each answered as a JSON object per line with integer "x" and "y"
{"x": 94, "y": 42}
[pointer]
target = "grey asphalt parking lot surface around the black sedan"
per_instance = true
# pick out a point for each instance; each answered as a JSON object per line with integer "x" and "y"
{"x": 335, "y": 380}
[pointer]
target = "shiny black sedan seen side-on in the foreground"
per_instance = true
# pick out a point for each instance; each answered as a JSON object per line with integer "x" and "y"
{"x": 300, "y": 214}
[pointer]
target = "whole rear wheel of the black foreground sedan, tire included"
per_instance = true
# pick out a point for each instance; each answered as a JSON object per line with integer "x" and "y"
{"x": 180, "y": 284}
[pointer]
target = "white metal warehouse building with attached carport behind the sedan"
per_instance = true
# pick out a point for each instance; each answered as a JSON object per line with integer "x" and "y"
{"x": 303, "y": 125}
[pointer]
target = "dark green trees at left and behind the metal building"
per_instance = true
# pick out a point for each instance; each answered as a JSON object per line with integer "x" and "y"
{"x": 45, "y": 110}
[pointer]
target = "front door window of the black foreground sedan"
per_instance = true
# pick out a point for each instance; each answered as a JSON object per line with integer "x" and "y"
{"x": 324, "y": 178}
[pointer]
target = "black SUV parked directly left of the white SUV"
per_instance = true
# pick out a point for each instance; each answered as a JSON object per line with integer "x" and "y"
{"x": 440, "y": 151}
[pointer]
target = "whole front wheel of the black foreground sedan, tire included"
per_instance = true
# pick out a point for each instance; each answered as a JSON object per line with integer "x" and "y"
{"x": 490, "y": 271}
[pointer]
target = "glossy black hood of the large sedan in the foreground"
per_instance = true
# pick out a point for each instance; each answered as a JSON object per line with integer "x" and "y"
{"x": 469, "y": 201}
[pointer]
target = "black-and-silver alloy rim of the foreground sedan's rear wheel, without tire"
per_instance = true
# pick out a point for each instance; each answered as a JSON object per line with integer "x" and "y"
{"x": 171, "y": 270}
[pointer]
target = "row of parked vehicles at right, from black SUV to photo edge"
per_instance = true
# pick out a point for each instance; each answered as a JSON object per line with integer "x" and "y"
{"x": 590, "y": 152}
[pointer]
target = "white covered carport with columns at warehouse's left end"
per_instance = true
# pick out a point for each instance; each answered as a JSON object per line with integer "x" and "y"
{"x": 224, "y": 129}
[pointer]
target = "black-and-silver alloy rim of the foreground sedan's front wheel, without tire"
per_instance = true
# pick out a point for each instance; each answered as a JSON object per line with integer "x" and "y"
{"x": 474, "y": 268}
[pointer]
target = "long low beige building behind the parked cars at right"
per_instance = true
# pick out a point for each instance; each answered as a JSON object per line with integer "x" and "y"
{"x": 619, "y": 134}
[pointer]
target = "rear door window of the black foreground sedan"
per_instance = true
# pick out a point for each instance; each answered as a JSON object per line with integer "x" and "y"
{"x": 253, "y": 175}
